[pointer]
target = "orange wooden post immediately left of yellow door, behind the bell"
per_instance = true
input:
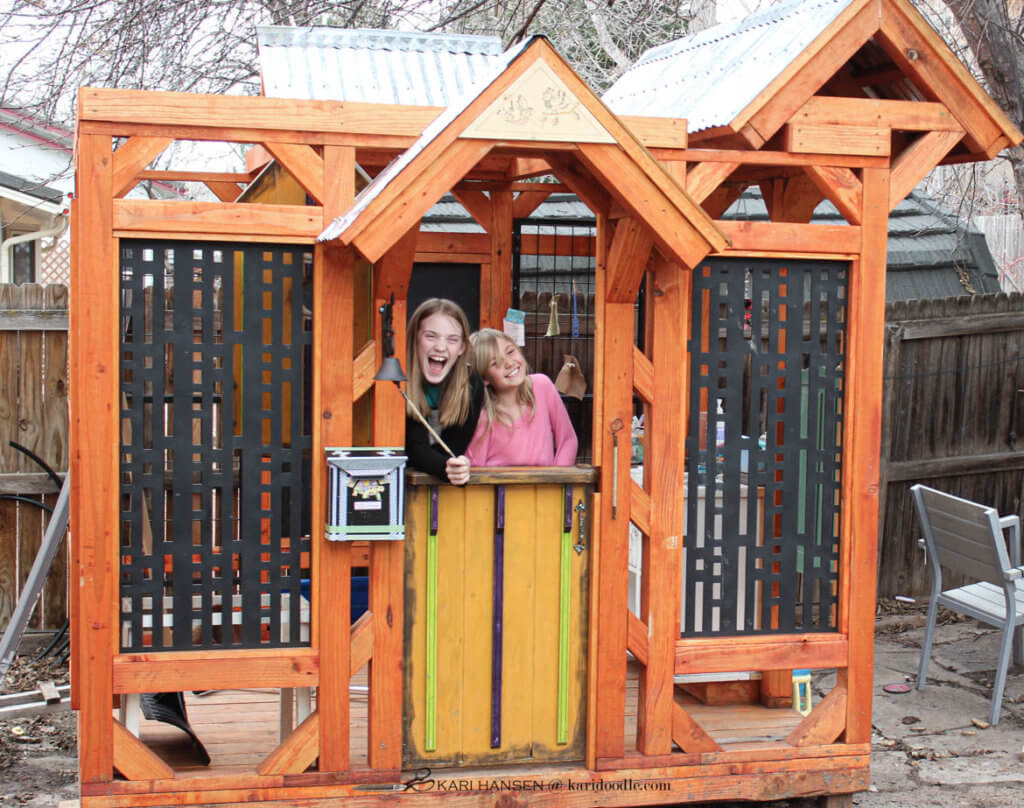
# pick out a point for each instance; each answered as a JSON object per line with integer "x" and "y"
{"x": 388, "y": 559}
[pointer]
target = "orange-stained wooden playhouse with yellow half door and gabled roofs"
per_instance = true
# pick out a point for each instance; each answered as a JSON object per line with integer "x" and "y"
{"x": 221, "y": 349}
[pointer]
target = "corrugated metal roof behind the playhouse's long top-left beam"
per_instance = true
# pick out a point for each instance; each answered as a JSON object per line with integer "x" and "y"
{"x": 378, "y": 67}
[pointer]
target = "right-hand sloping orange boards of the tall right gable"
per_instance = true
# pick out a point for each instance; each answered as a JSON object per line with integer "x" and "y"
{"x": 935, "y": 69}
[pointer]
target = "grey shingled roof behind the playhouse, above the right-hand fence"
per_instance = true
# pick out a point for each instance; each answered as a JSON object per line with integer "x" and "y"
{"x": 931, "y": 252}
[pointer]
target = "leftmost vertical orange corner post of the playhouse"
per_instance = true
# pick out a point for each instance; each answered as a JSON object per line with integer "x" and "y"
{"x": 95, "y": 439}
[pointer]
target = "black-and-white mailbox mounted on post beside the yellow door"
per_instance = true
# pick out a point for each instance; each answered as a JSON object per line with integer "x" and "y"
{"x": 366, "y": 494}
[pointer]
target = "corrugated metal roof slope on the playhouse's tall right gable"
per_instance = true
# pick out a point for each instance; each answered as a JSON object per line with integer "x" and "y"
{"x": 711, "y": 77}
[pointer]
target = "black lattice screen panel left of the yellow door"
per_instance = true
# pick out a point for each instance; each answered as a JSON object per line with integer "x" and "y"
{"x": 216, "y": 359}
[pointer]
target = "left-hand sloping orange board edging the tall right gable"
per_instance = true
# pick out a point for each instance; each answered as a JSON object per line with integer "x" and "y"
{"x": 803, "y": 77}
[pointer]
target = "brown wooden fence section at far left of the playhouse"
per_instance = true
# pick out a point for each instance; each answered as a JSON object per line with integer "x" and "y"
{"x": 33, "y": 414}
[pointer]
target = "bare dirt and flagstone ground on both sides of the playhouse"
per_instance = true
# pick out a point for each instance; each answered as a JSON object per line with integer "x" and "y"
{"x": 913, "y": 763}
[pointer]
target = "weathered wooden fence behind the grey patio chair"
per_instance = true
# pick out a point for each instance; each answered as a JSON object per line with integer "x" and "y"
{"x": 954, "y": 419}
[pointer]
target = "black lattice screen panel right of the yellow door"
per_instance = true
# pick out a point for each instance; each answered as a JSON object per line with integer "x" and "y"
{"x": 764, "y": 448}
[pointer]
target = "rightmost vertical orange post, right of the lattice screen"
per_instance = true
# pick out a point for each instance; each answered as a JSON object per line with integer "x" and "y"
{"x": 861, "y": 462}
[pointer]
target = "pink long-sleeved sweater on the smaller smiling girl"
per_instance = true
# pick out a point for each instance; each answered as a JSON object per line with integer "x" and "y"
{"x": 547, "y": 440}
